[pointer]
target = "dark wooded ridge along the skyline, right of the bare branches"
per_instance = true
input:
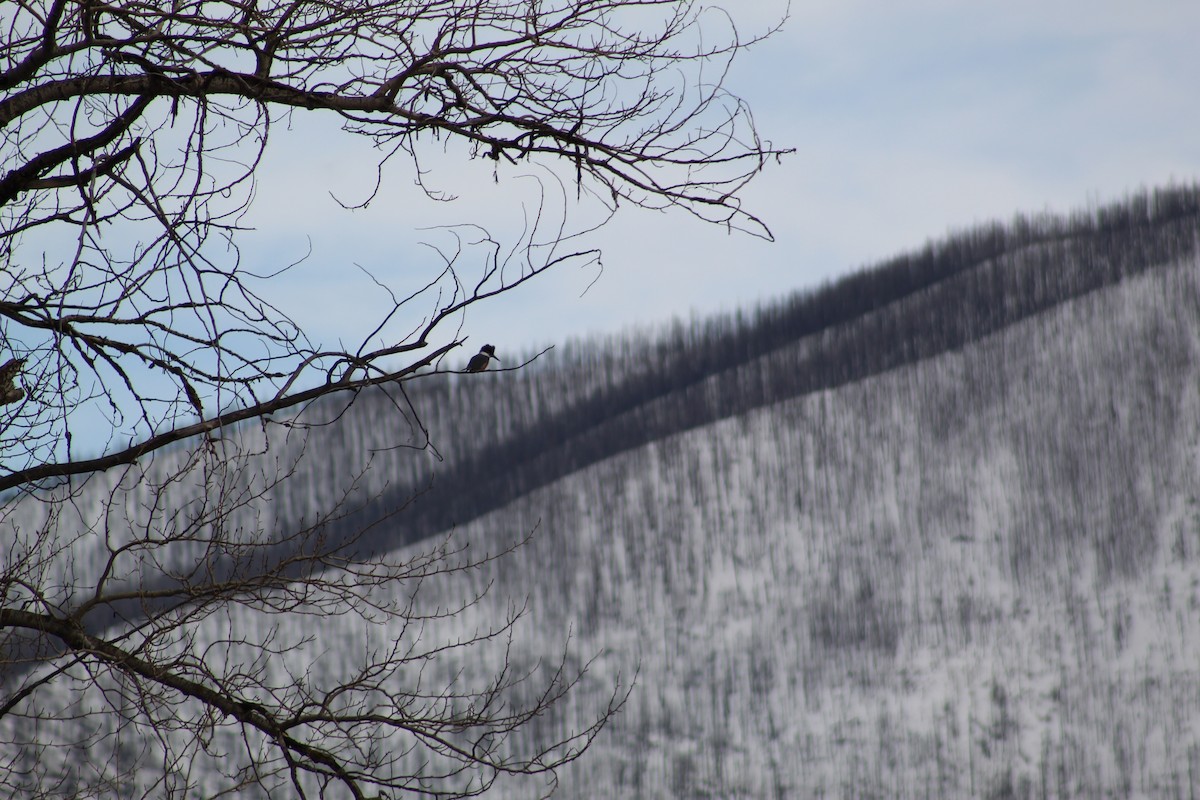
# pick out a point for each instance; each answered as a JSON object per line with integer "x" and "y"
{"x": 603, "y": 399}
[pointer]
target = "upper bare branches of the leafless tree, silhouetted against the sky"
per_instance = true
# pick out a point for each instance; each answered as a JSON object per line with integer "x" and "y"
{"x": 133, "y": 133}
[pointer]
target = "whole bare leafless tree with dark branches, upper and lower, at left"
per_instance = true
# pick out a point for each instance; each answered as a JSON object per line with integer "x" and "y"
{"x": 131, "y": 135}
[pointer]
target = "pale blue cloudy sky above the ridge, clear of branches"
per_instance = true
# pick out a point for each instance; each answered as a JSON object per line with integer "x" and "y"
{"x": 909, "y": 121}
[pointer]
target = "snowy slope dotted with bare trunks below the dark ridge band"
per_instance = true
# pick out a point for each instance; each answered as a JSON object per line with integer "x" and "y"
{"x": 977, "y": 576}
